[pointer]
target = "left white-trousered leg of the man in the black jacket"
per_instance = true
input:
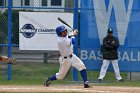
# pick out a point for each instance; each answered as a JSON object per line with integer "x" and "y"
{"x": 104, "y": 68}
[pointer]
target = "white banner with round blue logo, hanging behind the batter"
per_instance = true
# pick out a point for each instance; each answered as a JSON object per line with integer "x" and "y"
{"x": 37, "y": 29}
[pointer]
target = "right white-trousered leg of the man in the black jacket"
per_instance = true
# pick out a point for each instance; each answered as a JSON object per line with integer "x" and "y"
{"x": 116, "y": 69}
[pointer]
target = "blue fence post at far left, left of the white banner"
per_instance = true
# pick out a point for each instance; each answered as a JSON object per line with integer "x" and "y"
{"x": 9, "y": 36}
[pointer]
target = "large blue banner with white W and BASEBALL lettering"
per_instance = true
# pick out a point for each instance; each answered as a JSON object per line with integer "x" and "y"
{"x": 122, "y": 16}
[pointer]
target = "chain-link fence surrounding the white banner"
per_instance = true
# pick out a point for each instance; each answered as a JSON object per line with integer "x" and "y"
{"x": 65, "y": 6}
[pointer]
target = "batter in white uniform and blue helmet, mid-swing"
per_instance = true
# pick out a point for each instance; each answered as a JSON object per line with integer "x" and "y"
{"x": 67, "y": 58}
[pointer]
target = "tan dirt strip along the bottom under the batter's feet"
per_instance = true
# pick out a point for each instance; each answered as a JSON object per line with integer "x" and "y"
{"x": 69, "y": 88}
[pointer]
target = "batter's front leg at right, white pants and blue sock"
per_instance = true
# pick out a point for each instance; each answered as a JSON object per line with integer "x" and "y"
{"x": 79, "y": 65}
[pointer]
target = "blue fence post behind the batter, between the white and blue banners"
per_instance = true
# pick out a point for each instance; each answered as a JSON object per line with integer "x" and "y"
{"x": 75, "y": 21}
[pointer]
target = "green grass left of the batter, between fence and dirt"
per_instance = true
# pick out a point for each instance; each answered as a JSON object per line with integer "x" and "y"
{"x": 29, "y": 73}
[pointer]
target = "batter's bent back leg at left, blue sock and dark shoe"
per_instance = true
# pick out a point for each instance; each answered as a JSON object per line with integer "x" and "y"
{"x": 64, "y": 67}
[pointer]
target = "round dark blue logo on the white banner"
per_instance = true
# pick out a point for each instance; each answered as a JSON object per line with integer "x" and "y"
{"x": 28, "y": 30}
